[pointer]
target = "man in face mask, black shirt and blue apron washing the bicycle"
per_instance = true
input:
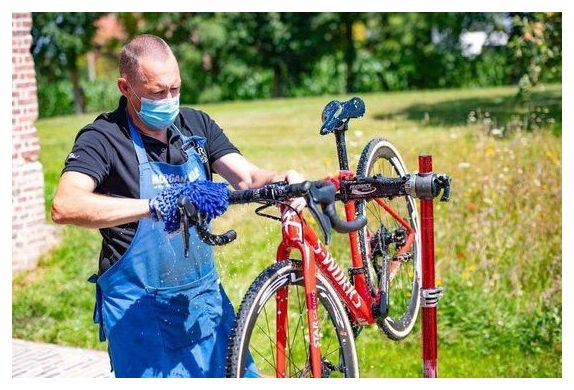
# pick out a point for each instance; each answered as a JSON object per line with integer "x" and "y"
{"x": 163, "y": 314}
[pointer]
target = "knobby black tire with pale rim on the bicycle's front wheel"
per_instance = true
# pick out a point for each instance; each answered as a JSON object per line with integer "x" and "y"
{"x": 288, "y": 273}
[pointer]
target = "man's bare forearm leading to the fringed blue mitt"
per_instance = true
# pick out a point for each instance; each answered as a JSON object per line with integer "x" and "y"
{"x": 98, "y": 211}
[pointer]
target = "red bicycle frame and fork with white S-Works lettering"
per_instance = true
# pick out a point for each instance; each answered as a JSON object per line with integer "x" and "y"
{"x": 355, "y": 294}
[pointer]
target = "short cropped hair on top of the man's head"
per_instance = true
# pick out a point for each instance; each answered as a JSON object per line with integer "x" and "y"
{"x": 141, "y": 46}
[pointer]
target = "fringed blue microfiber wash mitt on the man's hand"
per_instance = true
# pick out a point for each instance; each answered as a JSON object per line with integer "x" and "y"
{"x": 210, "y": 199}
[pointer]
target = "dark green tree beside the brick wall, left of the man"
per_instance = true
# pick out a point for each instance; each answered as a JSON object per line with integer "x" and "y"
{"x": 58, "y": 41}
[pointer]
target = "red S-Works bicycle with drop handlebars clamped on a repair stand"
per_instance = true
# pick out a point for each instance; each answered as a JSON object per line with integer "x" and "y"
{"x": 300, "y": 317}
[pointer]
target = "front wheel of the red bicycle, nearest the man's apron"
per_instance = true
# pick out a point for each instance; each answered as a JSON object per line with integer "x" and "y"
{"x": 260, "y": 327}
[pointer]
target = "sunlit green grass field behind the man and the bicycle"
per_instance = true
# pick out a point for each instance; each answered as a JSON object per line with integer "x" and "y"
{"x": 498, "y": 241}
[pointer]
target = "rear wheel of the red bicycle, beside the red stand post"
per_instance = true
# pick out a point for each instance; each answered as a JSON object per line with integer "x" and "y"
{"x": 384, "y": 236}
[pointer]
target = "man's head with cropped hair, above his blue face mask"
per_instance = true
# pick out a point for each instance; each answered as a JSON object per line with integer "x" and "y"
{"x": 149, "y": 70}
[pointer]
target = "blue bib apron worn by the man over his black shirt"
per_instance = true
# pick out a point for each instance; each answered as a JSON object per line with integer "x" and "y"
{"x": 165, "y": 315}
